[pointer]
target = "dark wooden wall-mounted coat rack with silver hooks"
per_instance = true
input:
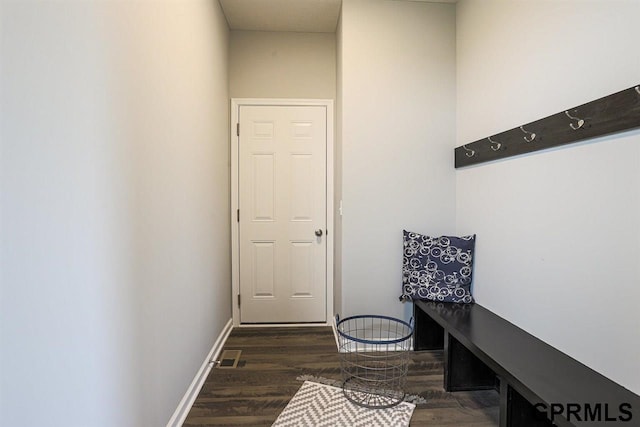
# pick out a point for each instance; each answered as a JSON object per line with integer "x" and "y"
{"x": 614, "y": 113}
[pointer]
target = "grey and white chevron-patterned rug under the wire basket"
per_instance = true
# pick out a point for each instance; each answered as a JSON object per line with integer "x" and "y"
{"x": 321, "y": 405}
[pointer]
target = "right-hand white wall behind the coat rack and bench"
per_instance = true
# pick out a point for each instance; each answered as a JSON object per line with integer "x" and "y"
{"x": 558, "y": 245}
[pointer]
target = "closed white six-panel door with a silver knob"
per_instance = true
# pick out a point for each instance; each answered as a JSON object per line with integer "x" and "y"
{"x": 282, "y": 195}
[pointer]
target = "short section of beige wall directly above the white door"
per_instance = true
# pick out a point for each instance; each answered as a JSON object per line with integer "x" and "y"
{"x": 282, "y": 65}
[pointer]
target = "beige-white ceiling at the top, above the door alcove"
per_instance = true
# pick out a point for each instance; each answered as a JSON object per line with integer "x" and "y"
{"x": 306, "y": 16}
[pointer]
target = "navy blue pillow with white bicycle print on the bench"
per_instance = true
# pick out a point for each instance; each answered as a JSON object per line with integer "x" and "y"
{"x": 437, "y": 268}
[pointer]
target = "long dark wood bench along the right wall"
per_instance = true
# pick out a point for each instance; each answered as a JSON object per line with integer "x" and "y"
{"x": 538, "y": 385}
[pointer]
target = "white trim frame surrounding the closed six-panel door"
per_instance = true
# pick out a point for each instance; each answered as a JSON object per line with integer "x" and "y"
{"x": 236, "y": 103}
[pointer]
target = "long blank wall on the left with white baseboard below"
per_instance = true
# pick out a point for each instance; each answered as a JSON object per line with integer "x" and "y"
{"x": 115, "y": 270}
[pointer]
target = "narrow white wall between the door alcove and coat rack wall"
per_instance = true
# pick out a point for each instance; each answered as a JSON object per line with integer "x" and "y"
{"x": 398, "y": 130}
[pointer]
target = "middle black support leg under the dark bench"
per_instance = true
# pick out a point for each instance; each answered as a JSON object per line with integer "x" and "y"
{"x": 463, "y": 370}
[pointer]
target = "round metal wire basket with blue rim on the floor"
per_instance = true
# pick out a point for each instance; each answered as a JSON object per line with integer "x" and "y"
{"x": 374, "y": 359}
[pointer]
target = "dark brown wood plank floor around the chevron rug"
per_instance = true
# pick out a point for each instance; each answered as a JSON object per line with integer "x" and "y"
{"x": 272, "y": 358}
